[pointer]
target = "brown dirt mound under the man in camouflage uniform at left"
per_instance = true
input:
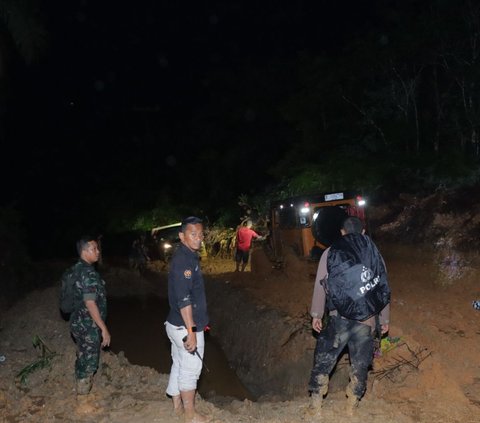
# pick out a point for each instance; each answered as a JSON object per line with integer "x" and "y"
{"x": 122, "y": 392}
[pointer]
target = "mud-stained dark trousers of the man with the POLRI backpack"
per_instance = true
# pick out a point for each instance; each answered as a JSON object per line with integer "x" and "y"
{"x": 330, "y": 344}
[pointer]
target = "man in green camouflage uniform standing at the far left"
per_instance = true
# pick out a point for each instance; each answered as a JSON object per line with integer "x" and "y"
{"x": 87, "y": 322}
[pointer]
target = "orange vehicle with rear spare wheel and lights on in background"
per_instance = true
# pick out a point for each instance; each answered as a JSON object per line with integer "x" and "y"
{"x": 310, "y": 224}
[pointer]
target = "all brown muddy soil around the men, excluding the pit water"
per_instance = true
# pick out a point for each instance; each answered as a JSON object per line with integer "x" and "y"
{"x": 432, "y": 374}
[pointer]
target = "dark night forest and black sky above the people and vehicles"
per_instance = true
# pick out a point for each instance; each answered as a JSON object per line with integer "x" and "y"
{"x": 147, "y": 113}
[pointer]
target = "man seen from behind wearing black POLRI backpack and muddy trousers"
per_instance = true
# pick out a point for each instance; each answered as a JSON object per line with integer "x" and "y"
{"x": 352, "y": 289}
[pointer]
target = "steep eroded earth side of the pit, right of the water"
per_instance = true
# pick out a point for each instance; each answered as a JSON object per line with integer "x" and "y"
{"x": 271, "y": 352}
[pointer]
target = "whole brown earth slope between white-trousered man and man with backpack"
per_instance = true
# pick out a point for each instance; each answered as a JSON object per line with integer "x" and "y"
{"x": 261, "y": 319}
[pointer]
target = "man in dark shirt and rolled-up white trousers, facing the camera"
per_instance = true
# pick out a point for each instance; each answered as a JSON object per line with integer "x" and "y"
{"x": 186, "y": 320}
